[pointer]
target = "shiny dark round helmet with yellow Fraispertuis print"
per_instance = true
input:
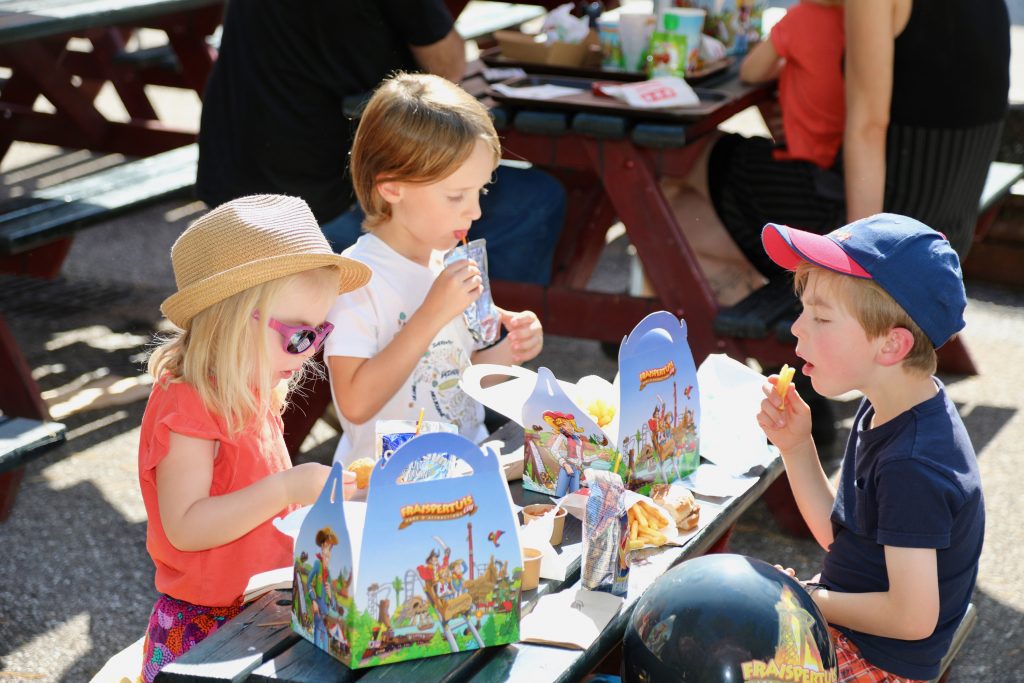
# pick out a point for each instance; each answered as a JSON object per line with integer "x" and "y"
{"x": 721, "y": 619}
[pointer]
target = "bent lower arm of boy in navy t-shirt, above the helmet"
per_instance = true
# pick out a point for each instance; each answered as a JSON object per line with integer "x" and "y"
{"x": 909, "y": 611}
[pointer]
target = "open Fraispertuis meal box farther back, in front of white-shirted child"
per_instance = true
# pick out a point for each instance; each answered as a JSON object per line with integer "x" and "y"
{"x": 644, "y": 426}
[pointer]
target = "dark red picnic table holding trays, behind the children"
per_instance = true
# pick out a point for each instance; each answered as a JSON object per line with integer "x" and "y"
{"x": 611, "y": 158}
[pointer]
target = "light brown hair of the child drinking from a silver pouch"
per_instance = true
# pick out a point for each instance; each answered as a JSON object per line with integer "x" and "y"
{"x": 416, "y": 129}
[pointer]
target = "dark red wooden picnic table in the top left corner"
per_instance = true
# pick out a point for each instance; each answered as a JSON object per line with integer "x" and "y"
{"x": 37, "y": 46}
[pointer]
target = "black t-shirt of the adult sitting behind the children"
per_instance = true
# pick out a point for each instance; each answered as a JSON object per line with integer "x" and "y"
{"x": 273, "y": 119}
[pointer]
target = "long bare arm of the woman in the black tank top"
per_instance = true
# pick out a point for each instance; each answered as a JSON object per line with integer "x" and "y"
{"x": 870, "y": 51}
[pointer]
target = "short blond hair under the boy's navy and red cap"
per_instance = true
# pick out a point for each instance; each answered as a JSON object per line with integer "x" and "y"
{"x": 875, "y": 310}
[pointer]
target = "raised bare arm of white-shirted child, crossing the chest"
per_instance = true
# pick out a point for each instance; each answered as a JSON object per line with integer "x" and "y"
{"x": 363, "y": 387}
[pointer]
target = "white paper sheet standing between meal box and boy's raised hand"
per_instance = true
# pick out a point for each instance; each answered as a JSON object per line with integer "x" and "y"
{"x": 731, "y": 401}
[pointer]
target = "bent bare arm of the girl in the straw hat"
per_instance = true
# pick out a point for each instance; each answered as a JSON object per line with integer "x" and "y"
{"x": 194, "y": 520}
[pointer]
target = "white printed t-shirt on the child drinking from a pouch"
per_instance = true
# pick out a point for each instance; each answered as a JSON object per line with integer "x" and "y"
{"x": 367, "y": 320}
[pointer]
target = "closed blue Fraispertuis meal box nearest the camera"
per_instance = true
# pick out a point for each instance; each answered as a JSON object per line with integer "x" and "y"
{"x": 423, "y": 568}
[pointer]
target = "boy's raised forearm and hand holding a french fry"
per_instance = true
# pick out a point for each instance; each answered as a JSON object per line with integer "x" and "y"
{"x": 788, "y": 425}
